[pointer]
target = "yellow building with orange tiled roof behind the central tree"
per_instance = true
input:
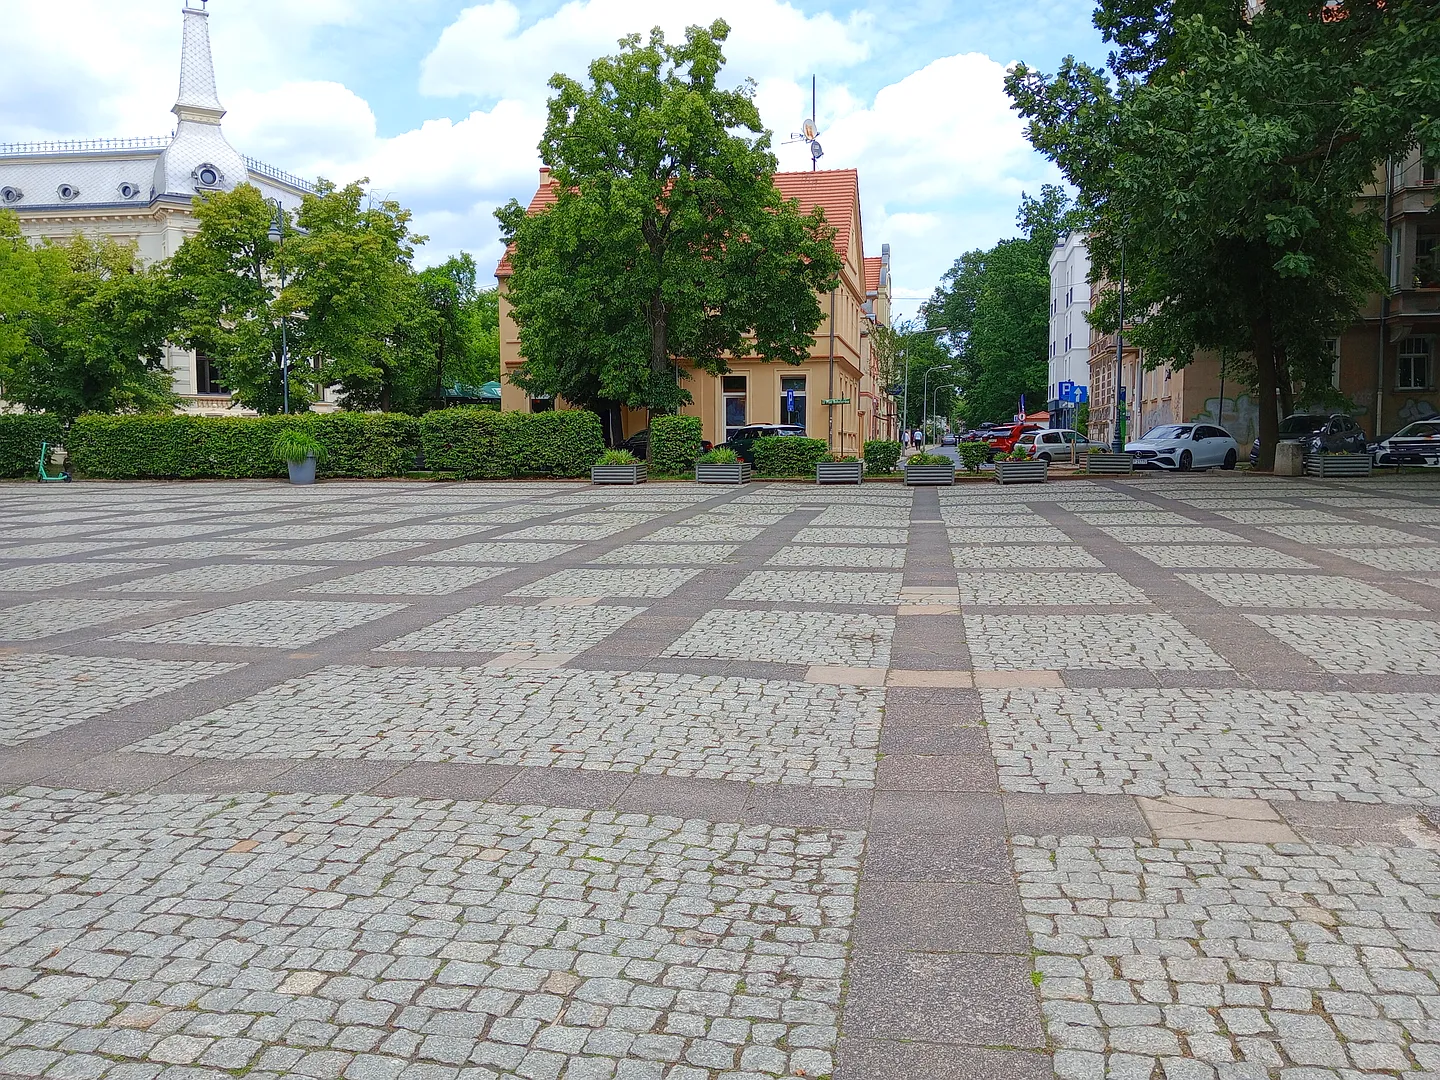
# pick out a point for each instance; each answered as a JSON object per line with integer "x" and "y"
{"x": 840, "y": 368}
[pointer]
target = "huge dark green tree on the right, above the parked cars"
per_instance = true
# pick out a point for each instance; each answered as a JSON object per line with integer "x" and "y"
{"x": 1222, "y": 159}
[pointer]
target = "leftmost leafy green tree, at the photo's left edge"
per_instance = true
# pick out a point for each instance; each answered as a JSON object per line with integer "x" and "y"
{"x": 83, "y": 326}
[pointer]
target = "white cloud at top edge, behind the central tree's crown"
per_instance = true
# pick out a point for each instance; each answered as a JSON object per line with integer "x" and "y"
{"x": 487, "y": 54}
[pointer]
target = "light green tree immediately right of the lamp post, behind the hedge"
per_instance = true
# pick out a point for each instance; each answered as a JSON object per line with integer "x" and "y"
{"x": 351, "y": 274}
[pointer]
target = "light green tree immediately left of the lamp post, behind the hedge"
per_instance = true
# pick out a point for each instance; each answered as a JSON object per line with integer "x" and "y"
{"x": 227, "y": 280}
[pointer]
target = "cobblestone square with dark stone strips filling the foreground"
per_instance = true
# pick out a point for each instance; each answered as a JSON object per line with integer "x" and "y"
{"x": 378, "y": 781}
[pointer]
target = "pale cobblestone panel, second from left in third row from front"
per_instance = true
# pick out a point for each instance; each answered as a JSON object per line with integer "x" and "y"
{"x": 263, "y": 624}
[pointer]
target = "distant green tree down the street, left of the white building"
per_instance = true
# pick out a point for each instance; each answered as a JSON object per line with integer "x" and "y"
{"x": 996, "y": 306}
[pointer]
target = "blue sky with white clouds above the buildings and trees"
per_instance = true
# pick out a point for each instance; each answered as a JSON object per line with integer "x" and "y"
{"x": 441, "y": 103}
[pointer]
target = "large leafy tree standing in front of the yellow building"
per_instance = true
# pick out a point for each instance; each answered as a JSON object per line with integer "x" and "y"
{"x": 669, "y": 243}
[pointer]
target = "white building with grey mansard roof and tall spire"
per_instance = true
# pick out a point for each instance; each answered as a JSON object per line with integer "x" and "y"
{"x": 142, "y": 191}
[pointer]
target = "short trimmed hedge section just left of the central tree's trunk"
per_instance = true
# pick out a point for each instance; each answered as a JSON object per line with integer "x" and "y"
{"x": 483, "y": 444}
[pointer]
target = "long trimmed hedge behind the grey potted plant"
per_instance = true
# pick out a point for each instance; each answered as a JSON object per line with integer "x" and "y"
{"x": 237, "y": 447}
